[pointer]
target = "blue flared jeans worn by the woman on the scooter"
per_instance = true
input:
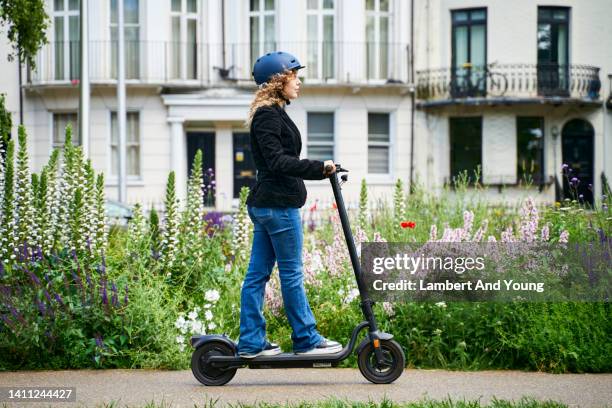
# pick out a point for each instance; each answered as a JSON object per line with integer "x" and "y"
{"x": 277, "y": 238}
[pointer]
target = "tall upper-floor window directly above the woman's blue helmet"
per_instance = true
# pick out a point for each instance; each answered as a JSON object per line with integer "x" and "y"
{"x": 263, "y": 27}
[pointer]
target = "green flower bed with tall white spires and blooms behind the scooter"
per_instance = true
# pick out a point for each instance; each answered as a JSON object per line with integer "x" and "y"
{"x": 95, "y": 324}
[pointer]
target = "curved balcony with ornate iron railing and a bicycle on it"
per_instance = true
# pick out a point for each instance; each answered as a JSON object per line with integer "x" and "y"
{"x": 496, "y": 84}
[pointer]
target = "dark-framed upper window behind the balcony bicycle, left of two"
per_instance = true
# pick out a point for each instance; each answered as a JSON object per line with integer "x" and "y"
{"x": 469, "y": 52}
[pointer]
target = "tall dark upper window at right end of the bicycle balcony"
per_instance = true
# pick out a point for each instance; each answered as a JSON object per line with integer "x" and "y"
{"x": 553, "y": 40}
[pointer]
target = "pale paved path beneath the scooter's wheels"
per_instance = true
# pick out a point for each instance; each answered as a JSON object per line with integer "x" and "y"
{"x": 181, "y": 389}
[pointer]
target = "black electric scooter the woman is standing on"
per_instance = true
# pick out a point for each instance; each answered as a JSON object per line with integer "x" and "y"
{"x": 380, "y": 358}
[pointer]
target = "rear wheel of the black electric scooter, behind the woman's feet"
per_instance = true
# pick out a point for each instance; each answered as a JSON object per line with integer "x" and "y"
{"x": 206, "y": 373}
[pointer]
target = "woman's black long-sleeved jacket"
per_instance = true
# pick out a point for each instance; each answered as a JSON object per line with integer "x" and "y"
{"x": 276, "y": 144}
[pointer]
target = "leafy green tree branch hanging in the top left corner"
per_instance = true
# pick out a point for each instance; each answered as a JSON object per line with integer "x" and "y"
{"x": 27, "y": 25}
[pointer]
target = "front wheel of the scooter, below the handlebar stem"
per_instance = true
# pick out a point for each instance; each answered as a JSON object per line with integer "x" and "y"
{"x": 389, "y": 370}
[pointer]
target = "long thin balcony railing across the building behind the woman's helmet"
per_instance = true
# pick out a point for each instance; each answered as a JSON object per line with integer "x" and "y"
{"x": 199, "y": 65}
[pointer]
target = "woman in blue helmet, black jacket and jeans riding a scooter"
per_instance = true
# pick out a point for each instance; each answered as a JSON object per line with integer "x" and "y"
{"x": 273, "y": 206}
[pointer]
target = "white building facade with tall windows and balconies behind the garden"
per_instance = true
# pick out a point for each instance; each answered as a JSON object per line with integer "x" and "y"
{"x": 188, "y": 65}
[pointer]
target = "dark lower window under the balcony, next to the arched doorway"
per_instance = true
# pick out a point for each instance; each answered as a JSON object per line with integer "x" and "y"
{"x": 530, "y": 149}
